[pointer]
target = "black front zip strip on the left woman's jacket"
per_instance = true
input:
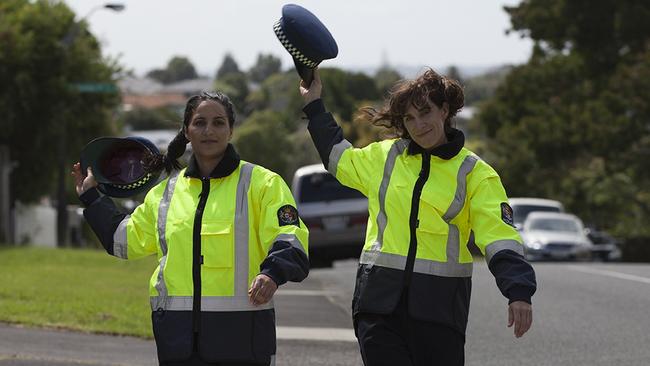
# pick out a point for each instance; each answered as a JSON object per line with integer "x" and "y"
{"x": 196, "y": 254}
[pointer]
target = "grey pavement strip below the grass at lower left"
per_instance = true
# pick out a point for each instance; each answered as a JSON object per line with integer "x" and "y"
{"x": 35, "y": 347}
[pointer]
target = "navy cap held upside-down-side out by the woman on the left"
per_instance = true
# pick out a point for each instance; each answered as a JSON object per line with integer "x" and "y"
{"x": 118, "y": 164}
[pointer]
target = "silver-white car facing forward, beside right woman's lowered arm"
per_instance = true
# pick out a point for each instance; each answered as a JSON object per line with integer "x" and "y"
{"x": 553, "y": 235}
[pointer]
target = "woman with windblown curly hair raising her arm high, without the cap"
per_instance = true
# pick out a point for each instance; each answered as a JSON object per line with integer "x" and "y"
{"x": 426, "y": 194}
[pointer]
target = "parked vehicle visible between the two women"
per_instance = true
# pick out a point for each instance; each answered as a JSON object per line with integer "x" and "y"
{"x": 336, "y": 215}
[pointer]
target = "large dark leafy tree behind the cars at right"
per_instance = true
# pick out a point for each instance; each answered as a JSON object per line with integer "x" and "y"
{"x": 572, "y": 123}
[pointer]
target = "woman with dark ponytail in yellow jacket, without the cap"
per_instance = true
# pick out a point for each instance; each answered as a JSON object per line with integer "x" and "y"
{"x": 227, "y": 234}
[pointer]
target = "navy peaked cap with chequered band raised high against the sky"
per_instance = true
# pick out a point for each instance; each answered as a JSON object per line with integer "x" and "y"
{"x": 306, "y": 39}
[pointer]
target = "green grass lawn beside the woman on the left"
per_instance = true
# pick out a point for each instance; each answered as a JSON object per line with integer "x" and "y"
{"x": 78, "y": 289}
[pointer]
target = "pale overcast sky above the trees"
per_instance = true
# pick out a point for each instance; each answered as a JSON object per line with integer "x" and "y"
{"x": 467, "y": 33}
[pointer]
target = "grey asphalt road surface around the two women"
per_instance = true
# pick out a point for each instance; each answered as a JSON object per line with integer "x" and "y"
{"x": 592, "y": 314}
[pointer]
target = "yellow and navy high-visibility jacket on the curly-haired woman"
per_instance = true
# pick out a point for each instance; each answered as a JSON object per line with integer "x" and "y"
{"x": 423, "y": 206}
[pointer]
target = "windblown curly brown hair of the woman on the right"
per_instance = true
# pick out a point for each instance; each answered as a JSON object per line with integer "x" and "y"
{"x": 428, "y": 87}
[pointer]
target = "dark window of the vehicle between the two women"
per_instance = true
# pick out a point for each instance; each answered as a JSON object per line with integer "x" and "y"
{"x": 324, "y": 187}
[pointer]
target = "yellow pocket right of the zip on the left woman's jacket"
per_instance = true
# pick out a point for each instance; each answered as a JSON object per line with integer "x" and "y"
{"x": 217, "y": 243}
